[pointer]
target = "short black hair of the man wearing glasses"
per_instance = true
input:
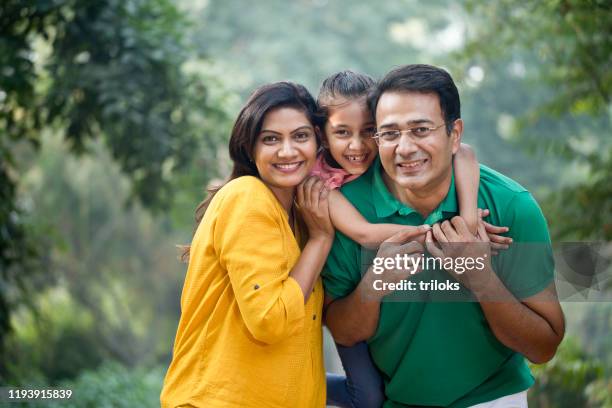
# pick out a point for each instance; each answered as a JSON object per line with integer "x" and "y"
{"x": 421, "y": 78}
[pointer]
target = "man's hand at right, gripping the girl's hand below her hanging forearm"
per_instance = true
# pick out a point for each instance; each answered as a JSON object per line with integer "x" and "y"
{"x": 453, "y": 239}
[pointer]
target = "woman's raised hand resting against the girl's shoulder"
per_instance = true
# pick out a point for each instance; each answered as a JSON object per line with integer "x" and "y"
{"x": 314, "y": 207}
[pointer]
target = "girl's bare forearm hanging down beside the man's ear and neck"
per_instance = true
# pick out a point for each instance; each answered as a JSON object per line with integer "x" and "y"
{"x": 467, "y": 179}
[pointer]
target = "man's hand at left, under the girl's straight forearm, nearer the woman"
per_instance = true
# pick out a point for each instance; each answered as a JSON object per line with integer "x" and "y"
{"x": 399, "y": 244}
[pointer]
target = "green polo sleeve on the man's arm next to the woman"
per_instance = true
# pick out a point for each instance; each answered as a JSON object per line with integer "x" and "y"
{"x": 341, "y": 273}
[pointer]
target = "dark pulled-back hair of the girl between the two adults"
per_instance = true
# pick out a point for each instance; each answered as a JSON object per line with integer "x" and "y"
{"x": 336, "y": 90}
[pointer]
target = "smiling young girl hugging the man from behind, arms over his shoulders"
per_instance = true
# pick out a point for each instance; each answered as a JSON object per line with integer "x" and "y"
{"x": 348, "y": 151}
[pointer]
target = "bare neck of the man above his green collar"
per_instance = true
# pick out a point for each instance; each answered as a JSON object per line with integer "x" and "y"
{"x": 424, "y": 200}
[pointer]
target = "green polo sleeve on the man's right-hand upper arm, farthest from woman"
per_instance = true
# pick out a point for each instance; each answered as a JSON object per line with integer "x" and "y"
{"x": 527, "y": 267}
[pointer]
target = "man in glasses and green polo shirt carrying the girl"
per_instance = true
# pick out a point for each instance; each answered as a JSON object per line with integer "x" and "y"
{"x": 434, "y": 353}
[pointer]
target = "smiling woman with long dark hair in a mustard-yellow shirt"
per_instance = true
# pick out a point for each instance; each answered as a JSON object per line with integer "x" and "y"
{"x": 250, "y": 329}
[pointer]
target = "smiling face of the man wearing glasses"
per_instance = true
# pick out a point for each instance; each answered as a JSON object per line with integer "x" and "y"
{"x": 416, "y": 163}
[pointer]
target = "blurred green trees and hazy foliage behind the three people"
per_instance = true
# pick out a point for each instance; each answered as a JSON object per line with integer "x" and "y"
{"x": 115, "y": 115}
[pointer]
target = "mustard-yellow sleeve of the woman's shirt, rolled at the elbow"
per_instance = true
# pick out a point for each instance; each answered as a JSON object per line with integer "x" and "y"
{"x": 249, "y": 240}
